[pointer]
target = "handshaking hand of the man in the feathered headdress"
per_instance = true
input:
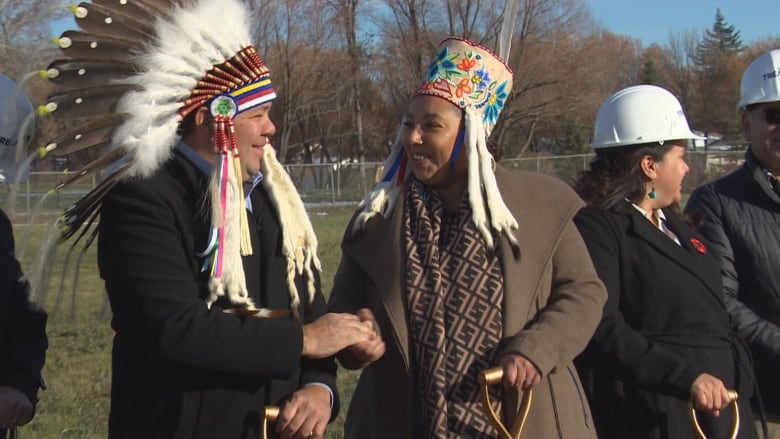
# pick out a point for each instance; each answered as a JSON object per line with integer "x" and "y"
{"x": 333, "y": 332}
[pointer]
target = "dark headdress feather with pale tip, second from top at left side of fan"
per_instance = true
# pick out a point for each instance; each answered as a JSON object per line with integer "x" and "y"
{"x": 86, "y": 46}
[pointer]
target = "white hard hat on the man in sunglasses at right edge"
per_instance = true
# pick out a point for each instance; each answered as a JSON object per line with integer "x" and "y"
{"x": 761, "y": 80}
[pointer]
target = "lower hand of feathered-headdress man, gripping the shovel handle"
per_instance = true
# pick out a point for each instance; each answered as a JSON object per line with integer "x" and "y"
{"x": 305, "y": 414}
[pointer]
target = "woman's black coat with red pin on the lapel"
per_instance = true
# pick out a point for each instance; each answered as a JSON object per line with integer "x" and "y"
{"x": 664, "y": 324}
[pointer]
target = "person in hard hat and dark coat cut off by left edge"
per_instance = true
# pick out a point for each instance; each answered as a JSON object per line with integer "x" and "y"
{"x": 23, "y": 340}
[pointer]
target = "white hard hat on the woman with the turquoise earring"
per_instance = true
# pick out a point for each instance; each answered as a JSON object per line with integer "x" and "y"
{"x": 640, "y": 114}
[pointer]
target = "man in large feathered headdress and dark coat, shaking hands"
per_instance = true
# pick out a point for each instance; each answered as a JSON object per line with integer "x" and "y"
{"x": 207, "y": 253}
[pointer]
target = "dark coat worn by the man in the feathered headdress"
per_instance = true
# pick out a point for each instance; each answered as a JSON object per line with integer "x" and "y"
{"x": 181, "y": 370}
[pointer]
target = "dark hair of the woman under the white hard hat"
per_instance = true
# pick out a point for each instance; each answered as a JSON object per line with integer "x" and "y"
{"x": 615, "y": 175}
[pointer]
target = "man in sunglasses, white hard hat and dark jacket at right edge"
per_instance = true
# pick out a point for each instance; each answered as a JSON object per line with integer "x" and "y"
{"x": 741, "y": 220}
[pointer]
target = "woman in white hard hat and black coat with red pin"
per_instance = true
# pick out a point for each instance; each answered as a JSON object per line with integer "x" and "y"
{"x": 665, "y": 339}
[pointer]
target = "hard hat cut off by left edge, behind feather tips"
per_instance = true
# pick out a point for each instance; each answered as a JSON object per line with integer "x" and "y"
{"x": 16, "y": 113}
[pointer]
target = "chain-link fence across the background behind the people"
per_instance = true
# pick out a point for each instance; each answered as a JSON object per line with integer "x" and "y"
{"x": 337, "y": 183}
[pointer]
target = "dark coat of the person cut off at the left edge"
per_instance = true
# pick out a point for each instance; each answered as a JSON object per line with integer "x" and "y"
{"x": 23, "y": 340}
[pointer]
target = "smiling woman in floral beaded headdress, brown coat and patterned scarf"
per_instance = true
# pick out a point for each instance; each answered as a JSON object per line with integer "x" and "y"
{"x": 465, "y": 266}
